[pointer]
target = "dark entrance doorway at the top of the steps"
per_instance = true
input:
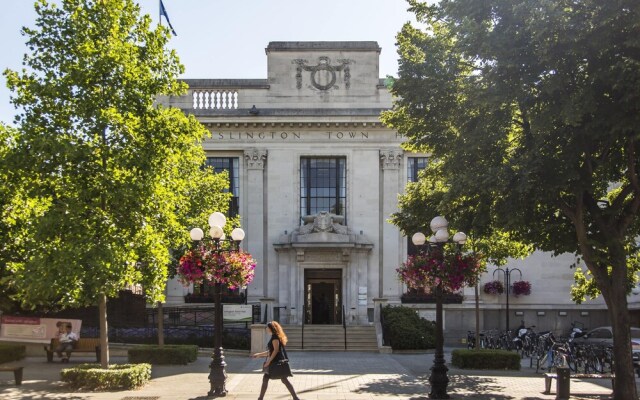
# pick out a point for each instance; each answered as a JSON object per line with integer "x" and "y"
{"x": 323, "y": 296}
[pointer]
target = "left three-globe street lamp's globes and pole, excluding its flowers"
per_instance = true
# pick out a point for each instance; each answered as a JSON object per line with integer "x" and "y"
{"x": 217, "y": 374}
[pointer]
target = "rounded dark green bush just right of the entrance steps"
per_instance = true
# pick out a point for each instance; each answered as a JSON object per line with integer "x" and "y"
{"x": 405, "y": 330}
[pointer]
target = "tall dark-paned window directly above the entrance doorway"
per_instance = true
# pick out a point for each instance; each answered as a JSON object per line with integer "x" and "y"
{"x": 323, "y": 185}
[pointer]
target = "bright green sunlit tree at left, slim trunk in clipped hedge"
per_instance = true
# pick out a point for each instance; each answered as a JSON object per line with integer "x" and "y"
{"x": 113, "y": 173}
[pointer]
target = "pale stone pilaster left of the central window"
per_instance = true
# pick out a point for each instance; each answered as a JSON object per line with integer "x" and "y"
{"x": 255, "y": 220}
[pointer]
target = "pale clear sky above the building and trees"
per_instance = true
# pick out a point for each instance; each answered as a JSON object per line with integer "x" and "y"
{"x": 226, "y": 38}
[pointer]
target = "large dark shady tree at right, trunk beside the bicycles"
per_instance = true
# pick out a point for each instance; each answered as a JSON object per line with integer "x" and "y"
{"x": 534, "y": 105}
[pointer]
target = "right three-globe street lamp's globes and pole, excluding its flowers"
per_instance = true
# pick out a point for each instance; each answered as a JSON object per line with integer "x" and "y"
{"x": 435, "y": 247}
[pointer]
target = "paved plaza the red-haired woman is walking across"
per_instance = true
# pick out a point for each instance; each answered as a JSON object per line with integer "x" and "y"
{"x": 318, "y": 376}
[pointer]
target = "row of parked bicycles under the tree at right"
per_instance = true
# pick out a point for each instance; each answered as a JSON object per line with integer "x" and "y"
{"x": 547, "y": 351}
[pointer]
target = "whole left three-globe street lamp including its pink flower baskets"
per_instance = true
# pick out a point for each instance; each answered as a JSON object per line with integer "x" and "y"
{"x": 213, "y": 255}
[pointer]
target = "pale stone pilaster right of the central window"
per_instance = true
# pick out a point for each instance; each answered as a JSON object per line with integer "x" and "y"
{"x": 390, "y": 239}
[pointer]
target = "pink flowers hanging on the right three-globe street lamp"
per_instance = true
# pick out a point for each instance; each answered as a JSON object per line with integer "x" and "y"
{"x": 451, "y": 272}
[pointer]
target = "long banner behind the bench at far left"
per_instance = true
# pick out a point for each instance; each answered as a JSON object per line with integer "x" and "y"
{"x": 34, "y": 329}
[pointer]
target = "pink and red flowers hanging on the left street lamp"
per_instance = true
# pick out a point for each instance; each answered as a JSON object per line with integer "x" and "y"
{"x": 206, "y": 264}
